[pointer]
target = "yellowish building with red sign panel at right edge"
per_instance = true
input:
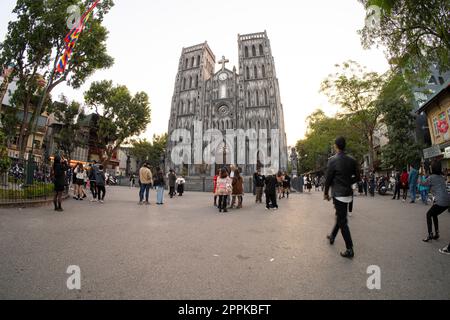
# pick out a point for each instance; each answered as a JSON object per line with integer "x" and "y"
{"x": 437, "y": 112}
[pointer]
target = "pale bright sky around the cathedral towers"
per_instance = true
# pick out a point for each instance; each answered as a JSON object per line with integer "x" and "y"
{"x": 307, "y": 37}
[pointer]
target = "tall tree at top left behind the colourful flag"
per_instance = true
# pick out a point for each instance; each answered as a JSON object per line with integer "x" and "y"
{"x": 34, "y": 43}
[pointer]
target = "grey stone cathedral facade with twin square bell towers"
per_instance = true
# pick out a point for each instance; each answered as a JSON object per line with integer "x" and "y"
{"x": 244, "y": 100}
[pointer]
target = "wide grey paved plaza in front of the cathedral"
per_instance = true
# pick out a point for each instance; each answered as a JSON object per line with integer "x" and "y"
{"x": 186, "y": 250}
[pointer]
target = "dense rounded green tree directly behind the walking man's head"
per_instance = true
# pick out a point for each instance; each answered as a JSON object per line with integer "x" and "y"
{"x": 315, "y": 150}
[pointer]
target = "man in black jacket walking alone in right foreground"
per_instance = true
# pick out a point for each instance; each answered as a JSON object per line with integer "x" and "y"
{"x": 342, "y": 173}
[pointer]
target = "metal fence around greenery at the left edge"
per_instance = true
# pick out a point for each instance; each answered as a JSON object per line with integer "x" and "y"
{"x": 26, "y": 182}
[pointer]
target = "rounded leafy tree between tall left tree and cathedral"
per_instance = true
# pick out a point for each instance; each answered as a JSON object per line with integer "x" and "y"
{"x": 121, "y": 115}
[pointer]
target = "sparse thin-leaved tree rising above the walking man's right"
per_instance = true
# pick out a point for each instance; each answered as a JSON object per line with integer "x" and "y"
{"x": 355, "y": 91}
